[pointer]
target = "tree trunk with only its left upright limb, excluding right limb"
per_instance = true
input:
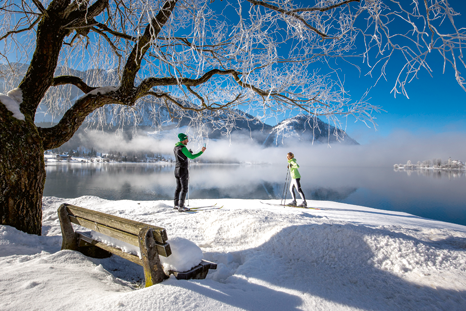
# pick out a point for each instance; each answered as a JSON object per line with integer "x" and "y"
{"x": 22, "y": 167}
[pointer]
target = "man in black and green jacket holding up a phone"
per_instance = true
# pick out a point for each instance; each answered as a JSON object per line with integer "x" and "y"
{"x": 181, "y": 170}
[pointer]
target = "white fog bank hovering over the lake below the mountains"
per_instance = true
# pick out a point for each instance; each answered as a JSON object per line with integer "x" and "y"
{"x": 396, "y": 148}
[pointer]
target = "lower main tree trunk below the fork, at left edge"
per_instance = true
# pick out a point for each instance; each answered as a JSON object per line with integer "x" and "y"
{"x": 22, "y": 173}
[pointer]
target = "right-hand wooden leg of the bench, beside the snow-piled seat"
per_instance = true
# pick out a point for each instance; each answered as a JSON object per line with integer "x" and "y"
{"x": 153, "y": 271}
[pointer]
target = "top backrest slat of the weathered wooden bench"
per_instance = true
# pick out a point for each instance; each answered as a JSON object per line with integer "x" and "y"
{"x": 131, "y": 226}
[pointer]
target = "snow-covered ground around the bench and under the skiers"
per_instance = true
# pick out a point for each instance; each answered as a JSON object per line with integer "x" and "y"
{"x": 342, "y": 257}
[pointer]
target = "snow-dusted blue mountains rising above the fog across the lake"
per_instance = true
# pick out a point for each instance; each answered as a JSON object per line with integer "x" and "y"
{"x": 236, "y": 123}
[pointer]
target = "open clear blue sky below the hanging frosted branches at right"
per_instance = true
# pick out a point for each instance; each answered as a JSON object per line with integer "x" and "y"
{"x": 436, "y": 104}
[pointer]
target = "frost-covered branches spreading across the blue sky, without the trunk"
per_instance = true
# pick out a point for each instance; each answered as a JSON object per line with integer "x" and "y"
{"x": 267, "y": 58}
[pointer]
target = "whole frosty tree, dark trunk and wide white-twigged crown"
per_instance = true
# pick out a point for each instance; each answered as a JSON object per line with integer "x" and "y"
{"x": 201, "y": 56}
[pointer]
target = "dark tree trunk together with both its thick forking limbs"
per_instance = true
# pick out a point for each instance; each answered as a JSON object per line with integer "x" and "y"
{"x": 22, "y": 168}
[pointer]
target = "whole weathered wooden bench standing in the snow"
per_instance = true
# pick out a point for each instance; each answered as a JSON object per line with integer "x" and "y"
{"x": 151, "y": 240}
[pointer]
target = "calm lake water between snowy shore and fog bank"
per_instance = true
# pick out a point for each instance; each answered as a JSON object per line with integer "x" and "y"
{"x": 435, "y": 195}
